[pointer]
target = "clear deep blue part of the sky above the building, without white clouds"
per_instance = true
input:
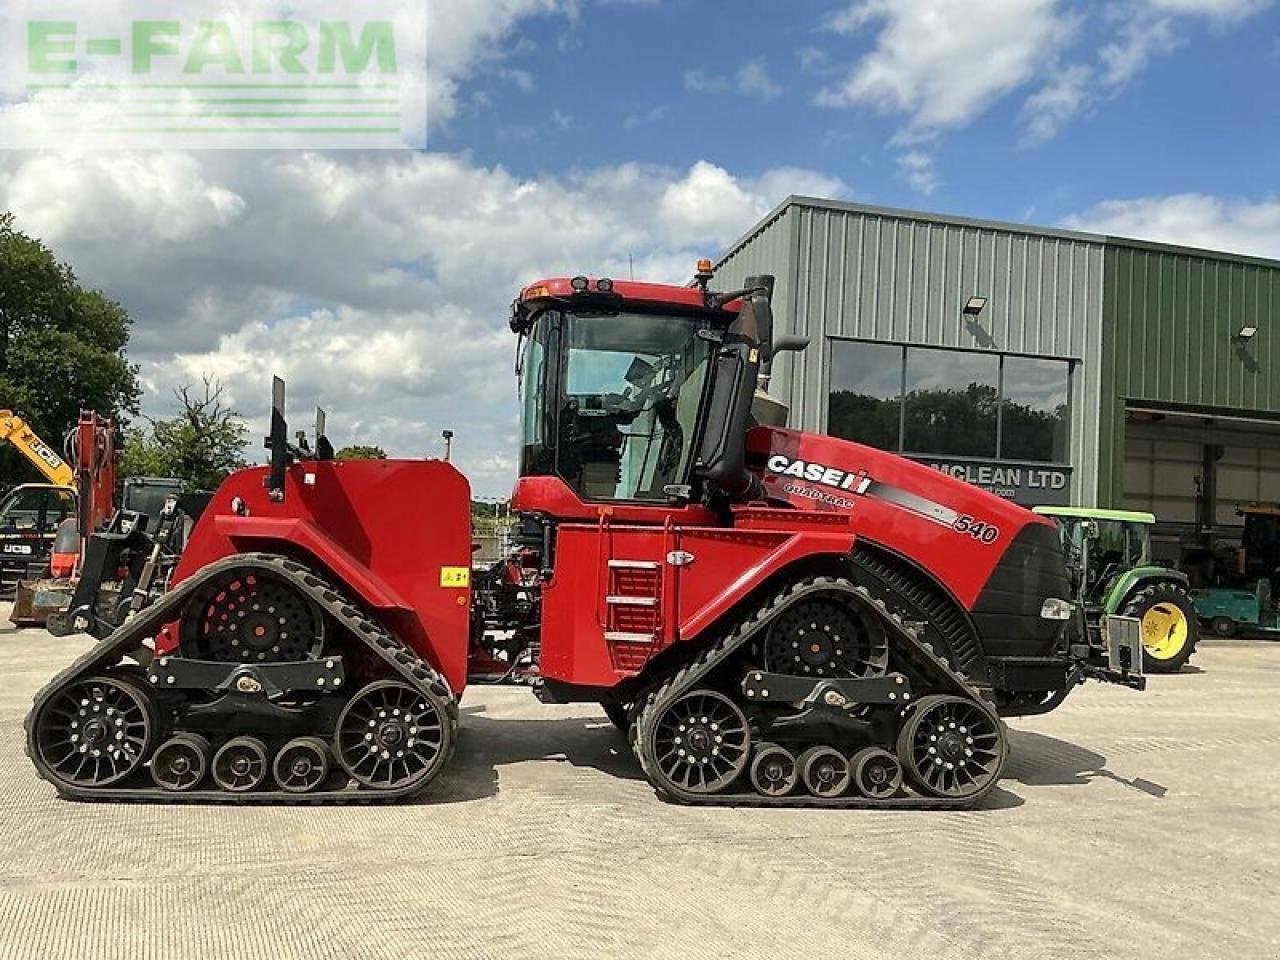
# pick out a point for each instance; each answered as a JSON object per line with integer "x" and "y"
{"x": 661, "y": 84}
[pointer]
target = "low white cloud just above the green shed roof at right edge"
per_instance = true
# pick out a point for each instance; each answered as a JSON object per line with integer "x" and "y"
{"x": 1190, "y": 220}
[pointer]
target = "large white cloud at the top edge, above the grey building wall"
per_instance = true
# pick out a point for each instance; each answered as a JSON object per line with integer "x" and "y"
{"x": 944, "y": 62}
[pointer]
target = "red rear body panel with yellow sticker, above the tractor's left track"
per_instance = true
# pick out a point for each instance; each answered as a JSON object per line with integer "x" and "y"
{"x": 396, "y": 533}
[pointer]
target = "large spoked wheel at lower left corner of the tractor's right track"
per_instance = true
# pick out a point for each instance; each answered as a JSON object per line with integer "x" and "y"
{"x": 702, "y": 744}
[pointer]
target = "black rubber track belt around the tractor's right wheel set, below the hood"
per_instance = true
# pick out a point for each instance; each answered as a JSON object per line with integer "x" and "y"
{"x": 906, "y": 643}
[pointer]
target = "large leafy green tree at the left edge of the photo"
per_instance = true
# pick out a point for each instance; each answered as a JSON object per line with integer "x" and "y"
{"x": 62, "y": 348}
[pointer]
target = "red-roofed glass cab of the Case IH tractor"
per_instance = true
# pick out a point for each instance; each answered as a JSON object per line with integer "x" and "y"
{"x": 639, "y": 394}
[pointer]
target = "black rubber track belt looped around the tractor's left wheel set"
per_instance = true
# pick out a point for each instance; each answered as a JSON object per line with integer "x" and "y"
{"x": 129, "y": 641}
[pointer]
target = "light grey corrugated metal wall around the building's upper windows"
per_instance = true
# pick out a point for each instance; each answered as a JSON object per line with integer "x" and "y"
{"x": 885, "y": 276}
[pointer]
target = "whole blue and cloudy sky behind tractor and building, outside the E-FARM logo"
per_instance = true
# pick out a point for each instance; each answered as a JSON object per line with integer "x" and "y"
{"x": 577, "y": 136}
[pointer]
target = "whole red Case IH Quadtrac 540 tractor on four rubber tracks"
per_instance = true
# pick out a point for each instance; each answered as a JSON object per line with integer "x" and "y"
{"x": 776, "y": 618}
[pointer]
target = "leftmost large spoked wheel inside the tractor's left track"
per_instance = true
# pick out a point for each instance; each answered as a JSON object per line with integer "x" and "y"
{"x": 95, "y": 733}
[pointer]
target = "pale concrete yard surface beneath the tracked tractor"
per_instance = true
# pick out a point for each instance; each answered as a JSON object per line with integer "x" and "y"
{"x": 1128, "y": 826}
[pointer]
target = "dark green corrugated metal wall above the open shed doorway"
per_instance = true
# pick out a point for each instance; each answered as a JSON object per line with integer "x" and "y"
{"x": 1172, "y": 321}
